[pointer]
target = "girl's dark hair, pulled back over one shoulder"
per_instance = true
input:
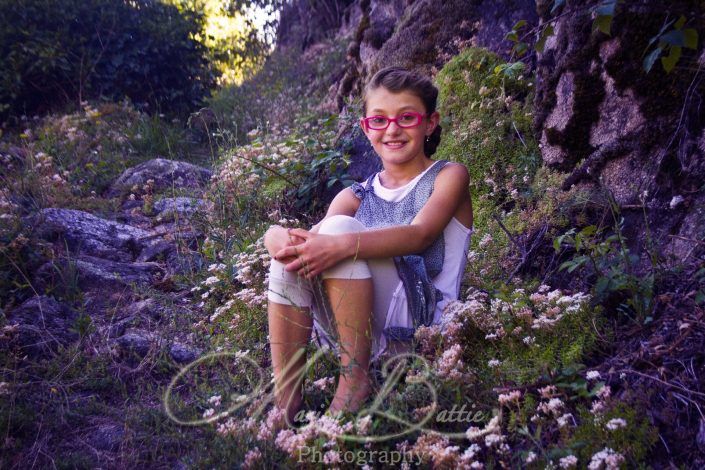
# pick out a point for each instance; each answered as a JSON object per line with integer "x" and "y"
{"x": 397, "y": 80}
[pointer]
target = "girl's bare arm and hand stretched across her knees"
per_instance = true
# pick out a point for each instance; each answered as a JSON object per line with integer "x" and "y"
{"x": 319, "y": 252}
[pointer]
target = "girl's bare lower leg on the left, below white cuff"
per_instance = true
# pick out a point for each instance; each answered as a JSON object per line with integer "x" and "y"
{"x": 289, "y": 333}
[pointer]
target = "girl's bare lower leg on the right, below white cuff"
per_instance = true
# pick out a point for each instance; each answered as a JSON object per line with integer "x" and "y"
{"x": 351, "y": 301}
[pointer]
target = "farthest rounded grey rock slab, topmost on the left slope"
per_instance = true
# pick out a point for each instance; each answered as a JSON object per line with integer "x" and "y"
{"x": 165, "y": 173}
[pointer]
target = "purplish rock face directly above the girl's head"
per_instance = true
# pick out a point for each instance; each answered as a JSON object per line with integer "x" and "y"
{"x": 423, "y": 35}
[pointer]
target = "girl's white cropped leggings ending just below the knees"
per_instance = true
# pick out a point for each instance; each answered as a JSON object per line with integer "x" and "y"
{"x": 389, "y": 308}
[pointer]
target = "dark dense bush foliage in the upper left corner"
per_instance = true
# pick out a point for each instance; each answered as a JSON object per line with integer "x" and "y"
{"x": 53, "y": 52}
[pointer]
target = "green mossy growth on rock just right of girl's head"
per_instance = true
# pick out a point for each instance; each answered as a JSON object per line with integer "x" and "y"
{"x": 486, "y": 120}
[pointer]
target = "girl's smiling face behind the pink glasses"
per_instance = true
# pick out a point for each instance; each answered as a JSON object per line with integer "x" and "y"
{"x": 396, "y": 145}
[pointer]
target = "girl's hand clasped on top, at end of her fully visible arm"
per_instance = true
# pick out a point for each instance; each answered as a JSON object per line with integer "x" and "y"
{"x": 316, "y": 254}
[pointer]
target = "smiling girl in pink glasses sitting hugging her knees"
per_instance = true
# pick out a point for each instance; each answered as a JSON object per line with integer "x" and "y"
{"x": 388, "y": 255}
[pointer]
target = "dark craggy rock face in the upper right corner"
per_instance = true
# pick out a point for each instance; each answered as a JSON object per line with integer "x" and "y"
{"x": 616, "y": 129}
